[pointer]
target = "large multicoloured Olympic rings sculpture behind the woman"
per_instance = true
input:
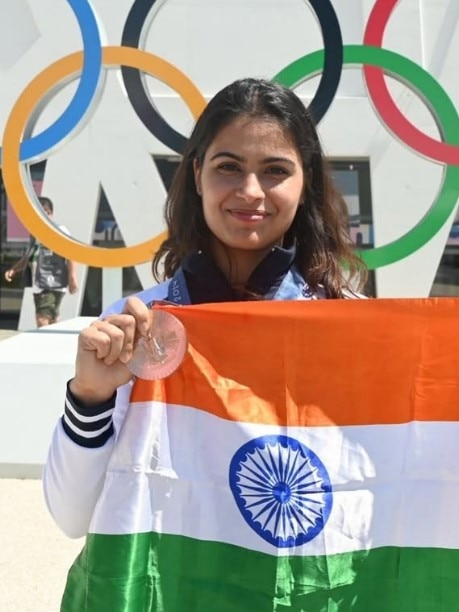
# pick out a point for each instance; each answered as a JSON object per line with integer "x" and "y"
{"x": 18, "y": 148}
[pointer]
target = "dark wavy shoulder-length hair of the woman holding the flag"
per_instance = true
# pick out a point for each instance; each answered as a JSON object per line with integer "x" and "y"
{"x": 324, "y": 251}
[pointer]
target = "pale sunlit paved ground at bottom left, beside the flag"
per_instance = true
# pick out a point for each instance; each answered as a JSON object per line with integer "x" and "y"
{"x": 34, "y": 555}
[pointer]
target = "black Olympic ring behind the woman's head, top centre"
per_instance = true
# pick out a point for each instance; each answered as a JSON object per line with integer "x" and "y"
{"x": 158, "y": 126}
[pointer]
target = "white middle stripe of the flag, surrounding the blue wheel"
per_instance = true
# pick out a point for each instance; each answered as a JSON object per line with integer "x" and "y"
{"x": 393, "y": 485}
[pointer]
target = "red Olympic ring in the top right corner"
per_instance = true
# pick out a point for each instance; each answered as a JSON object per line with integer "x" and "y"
{"x": 383, "y": 102}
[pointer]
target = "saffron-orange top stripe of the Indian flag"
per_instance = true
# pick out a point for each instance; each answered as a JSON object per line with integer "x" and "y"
{"x": 318, "y": 363}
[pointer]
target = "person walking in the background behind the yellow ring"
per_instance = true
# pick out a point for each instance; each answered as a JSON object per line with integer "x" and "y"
{"x": 51, "y": 274}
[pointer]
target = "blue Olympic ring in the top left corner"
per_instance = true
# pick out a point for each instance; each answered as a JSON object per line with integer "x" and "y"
{"x": 92, "y": 67}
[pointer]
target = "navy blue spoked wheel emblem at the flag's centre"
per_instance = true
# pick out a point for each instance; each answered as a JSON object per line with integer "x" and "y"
{"x": 282, "y": 489}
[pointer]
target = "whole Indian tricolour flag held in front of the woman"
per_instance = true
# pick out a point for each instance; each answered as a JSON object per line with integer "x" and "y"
{"x": 304, "y": 457}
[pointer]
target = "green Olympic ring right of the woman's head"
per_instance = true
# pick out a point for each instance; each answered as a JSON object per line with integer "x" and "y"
{"x": 438, "y": 101}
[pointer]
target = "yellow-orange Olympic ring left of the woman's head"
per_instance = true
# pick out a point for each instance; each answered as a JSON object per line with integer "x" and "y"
{"x": 26, "y": 210}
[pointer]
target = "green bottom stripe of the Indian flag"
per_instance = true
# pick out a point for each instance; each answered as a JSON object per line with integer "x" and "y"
{"x": 148, "y": 572}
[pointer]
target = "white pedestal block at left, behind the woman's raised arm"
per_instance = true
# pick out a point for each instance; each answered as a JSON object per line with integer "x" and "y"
{"x": 34, "y": 369}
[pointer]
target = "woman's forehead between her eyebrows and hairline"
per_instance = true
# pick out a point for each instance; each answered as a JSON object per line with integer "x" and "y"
{"x": 254, "y": 133}
